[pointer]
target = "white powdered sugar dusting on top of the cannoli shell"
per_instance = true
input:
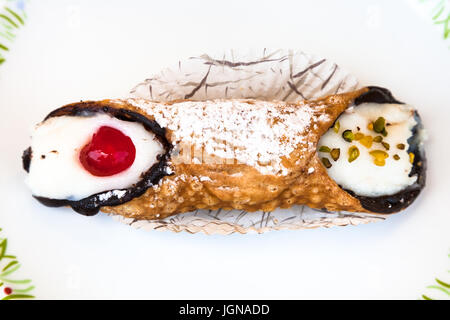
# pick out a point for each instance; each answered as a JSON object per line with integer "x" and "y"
{"x": 256, "y": 133}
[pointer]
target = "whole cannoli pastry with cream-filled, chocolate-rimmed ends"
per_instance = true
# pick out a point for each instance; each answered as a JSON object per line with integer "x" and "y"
{"x": 360, "y": 151}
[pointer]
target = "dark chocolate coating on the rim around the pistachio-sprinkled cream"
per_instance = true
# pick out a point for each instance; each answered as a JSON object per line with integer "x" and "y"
{"x": 402, "y": 199}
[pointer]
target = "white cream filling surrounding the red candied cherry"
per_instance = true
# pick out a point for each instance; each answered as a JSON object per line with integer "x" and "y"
{"x": 55, "y": 170}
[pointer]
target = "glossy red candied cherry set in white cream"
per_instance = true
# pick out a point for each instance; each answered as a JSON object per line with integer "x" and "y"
{"x": 108, "y": 153}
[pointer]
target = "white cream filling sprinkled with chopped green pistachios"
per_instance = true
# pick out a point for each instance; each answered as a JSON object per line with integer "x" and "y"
{"x": 362, "y": 176}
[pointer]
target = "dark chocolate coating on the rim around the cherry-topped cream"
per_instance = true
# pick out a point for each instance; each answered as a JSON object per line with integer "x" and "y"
{"x": 91, "y": 205}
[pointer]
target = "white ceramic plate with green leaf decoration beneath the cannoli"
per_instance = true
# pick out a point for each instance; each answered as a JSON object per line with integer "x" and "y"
{"x": 68, "y": 51}
